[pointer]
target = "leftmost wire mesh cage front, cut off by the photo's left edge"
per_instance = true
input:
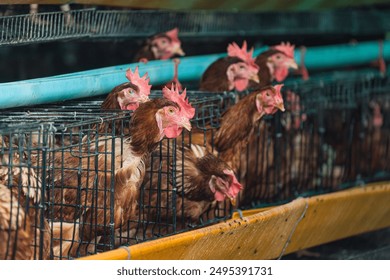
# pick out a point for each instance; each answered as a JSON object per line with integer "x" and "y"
{"x": 24, "y": 231}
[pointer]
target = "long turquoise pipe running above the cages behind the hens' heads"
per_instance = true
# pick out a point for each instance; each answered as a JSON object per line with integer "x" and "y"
{"x": 100, "y": 81}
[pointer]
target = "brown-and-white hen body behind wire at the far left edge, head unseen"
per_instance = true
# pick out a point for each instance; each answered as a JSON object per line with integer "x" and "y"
{"x": 26, "y": 186}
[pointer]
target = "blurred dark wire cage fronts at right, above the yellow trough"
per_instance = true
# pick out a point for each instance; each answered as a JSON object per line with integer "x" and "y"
{"x": 332, "y": 135}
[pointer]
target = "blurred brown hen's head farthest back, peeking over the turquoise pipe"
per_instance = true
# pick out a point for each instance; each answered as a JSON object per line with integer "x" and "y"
{"x": 161, "y": 46}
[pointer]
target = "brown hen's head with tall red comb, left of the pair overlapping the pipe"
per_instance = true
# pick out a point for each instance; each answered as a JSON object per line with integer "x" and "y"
{"x": 231, "y": 72}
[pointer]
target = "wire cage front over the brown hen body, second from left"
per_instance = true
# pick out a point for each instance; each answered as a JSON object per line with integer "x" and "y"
{"x": 82, "y": 188}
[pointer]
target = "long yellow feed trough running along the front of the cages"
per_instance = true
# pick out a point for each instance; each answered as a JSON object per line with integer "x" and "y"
{"x": 272, "y": 232}
